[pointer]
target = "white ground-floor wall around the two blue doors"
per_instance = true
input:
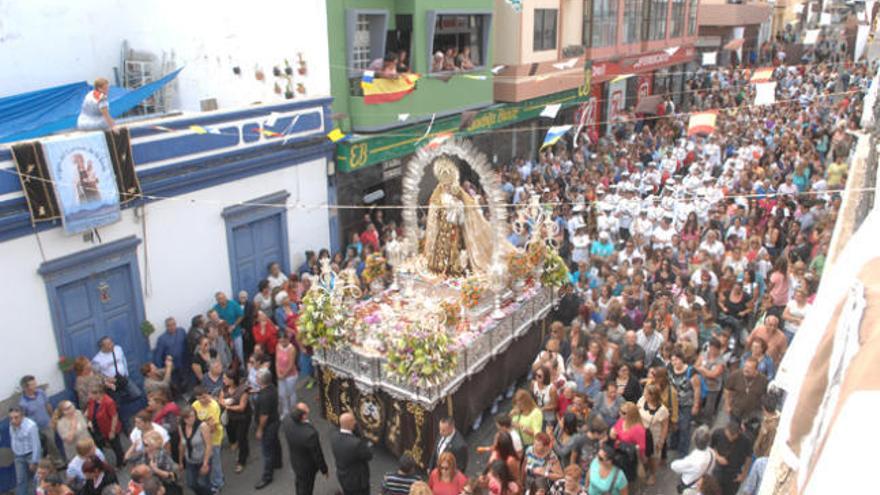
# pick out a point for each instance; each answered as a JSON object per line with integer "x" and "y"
{"x": 186, "y": 241}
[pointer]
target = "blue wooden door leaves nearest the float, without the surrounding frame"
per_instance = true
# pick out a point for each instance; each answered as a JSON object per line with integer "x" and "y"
{"x": 256, "y": 245}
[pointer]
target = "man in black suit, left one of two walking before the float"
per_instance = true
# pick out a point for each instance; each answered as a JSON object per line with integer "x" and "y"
{"x": 306, "y": 456}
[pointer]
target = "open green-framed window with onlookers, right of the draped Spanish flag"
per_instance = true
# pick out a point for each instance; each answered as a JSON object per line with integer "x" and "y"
{"x": 457, "y": 41}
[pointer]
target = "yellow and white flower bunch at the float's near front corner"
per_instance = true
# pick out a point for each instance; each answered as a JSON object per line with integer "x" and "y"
{"x": 420, "y": 355}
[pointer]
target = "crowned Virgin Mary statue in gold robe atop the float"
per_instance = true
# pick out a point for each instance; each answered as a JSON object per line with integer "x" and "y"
{"x": 457, "y": 234}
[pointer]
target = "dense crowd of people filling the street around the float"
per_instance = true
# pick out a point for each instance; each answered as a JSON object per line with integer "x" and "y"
{"x": 692, "y": 263}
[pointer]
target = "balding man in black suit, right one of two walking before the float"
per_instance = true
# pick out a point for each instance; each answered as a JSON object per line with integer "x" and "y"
{"x": 352, "y": 454}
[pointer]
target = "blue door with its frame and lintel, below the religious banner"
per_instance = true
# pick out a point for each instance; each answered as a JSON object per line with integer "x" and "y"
{"x": 96, "y": 293}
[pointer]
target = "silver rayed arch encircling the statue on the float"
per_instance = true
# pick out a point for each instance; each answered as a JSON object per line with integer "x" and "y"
{"x": 466, "y": 152}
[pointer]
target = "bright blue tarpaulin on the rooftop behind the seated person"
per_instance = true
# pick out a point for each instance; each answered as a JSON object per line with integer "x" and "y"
{"x": 47, "y": 111}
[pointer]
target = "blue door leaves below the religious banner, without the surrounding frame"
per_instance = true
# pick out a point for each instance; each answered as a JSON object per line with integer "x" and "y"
{"x": 103, "y": 303}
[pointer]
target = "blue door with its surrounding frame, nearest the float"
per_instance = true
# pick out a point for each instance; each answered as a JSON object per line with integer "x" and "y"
{"x": 256, "y": 237}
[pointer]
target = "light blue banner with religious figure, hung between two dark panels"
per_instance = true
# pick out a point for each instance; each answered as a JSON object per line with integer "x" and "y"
{"x": 85, "y": 184}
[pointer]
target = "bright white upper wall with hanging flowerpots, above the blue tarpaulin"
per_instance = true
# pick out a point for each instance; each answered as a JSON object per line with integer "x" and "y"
{"x": 47, "y": 43}
